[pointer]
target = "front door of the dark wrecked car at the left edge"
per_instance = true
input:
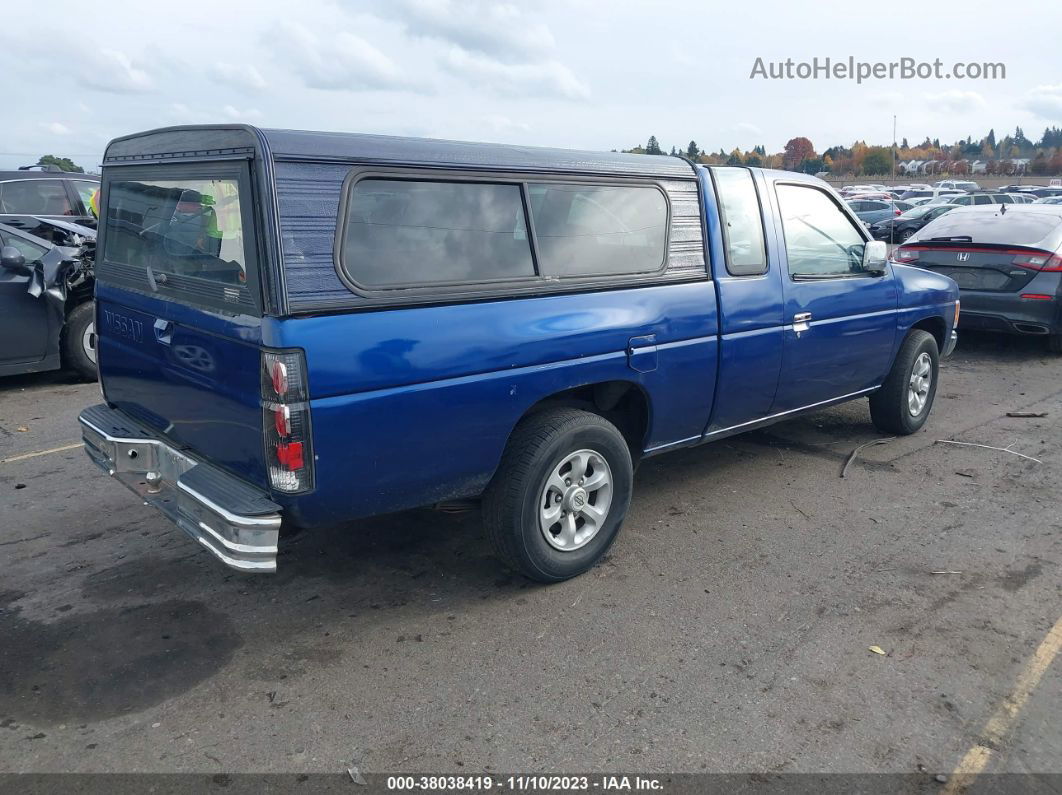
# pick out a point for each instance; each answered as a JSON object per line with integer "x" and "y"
{"x": 25, "y": 321}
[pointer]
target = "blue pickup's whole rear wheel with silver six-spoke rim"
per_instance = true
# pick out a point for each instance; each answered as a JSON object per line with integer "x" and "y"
{"x": 560, "y": 495}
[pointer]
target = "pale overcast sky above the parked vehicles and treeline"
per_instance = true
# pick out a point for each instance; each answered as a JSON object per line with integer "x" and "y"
{"x": 570, "y": 74}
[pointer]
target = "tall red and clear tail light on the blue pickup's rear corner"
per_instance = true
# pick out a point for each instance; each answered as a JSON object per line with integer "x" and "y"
{"x": 286, "y": 422}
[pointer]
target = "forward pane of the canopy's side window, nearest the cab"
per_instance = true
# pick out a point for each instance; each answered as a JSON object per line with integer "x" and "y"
{"x": 593, "y": 230}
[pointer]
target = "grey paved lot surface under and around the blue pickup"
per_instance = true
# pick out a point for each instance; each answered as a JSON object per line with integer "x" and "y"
{"x": 729, "y": 630}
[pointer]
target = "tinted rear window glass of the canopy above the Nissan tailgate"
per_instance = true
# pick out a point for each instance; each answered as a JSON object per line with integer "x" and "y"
{"x": 181, "y": 228}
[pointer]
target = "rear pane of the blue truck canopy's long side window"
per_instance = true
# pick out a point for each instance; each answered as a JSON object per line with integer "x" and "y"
{"x": 402, "y": 233}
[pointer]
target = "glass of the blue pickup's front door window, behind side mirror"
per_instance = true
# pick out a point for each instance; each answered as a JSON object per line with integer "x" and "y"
{"x": 820, "y": 240}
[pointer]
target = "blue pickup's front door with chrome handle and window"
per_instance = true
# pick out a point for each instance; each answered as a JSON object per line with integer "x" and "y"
{"x": 840, "y": 321}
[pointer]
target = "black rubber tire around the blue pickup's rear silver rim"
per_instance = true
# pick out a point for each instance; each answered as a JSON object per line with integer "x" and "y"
{"x": 511, "y": 505}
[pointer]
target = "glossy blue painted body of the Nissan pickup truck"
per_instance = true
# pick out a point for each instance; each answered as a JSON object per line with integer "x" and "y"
{"x": 414, "y": 405}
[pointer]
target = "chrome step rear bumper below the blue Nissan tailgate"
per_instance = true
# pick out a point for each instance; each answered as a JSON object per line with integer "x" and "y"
{"x": 233, "y": 521}
